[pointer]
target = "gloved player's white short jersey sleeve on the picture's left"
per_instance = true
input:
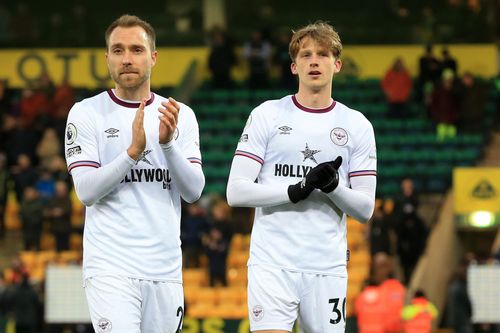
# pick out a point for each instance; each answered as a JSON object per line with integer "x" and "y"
{"x": 253, "y": 140}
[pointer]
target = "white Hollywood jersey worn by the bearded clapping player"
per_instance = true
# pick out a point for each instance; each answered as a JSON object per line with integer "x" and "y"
{"x": 134, "y": 230}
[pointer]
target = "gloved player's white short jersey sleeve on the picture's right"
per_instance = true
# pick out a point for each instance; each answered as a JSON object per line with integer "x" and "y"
{"x": 364, "y": 158}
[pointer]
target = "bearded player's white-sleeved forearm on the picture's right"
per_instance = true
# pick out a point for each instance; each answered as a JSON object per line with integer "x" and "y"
{"x": 187, "y": 176}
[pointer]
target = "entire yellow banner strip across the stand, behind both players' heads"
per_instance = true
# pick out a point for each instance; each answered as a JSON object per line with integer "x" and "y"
{"x": 86, "y": 67}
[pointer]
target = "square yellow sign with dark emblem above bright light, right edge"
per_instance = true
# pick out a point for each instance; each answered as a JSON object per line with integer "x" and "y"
{"x": 476, "y": 189}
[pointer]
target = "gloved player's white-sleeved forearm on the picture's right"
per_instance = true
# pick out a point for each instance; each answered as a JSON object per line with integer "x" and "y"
{"x": 357, "y": 202}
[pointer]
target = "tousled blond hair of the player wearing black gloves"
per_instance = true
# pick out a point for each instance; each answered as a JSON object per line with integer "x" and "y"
{"x": 320, "y": 32}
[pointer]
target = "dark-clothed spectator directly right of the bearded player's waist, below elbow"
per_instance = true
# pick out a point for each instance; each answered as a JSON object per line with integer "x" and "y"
{"x": 193, "y": 226}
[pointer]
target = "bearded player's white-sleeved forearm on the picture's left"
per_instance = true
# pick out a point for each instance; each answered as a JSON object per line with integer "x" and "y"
{"x": 92, "y": 184}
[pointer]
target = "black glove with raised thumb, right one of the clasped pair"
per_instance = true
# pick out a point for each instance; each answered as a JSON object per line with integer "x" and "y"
{"x": 325, "y": 176}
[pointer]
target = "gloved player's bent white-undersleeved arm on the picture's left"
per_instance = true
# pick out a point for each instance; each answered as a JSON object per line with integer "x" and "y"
{"x": 242, "y": 191}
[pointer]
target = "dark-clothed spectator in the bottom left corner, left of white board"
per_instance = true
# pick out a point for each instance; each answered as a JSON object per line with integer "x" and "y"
{"x": 26, "y": 307}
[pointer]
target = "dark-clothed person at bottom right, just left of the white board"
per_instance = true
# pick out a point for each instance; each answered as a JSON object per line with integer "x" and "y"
{"x": 458, "y": 305}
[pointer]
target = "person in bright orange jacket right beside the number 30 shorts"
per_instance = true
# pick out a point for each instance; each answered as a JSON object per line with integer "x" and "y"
{"x": 369, "y": 309}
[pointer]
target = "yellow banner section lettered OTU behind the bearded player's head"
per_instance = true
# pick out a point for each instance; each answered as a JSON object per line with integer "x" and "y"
{"x": 87, "y": 68}
